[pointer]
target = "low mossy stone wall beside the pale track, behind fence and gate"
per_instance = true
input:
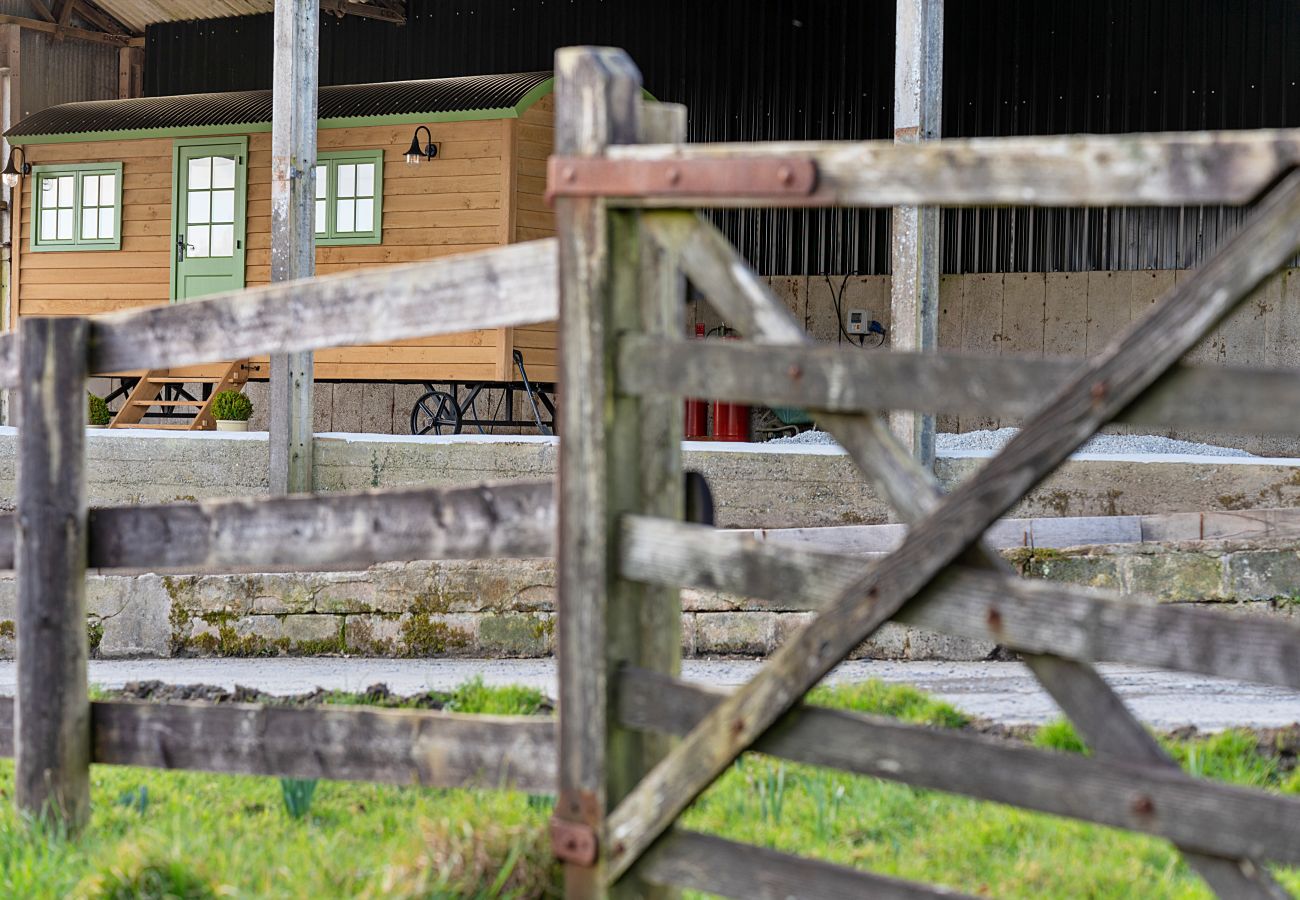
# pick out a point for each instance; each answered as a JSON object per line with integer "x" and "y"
{"x": 508, "y": 608}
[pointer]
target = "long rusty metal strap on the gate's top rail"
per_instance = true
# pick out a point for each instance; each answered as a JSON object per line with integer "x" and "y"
{"x": 775, "y": 178}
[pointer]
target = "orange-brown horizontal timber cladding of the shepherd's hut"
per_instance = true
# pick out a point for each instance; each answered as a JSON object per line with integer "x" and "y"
{"x": 465, "y": 201}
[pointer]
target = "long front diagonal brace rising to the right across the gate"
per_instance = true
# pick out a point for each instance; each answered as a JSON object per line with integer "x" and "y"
{"x": 1107, "y": 386}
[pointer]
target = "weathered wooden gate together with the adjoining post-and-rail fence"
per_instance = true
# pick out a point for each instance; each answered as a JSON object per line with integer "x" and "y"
{"x": 635, "y": 745}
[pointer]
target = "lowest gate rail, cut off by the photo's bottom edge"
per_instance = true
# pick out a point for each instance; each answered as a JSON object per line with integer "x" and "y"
{"x": 725, "y": 868}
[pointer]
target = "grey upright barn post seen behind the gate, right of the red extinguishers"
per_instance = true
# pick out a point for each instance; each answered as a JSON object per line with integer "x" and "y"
{"x": 915, "y": 237}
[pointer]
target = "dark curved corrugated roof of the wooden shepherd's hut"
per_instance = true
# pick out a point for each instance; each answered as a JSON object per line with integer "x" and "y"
{"x": 427, "y": 97}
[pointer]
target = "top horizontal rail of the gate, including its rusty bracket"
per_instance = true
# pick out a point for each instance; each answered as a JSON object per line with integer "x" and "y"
{"x": 1067, "y": 171}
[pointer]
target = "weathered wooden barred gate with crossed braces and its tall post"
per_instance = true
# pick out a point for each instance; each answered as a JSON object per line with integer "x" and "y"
{"x": 614, "y": 191}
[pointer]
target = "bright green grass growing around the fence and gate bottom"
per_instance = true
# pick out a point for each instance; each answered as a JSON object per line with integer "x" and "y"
{"x": 196, "y": 836}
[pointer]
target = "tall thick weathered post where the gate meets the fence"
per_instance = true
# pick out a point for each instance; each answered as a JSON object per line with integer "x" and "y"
{"x": 618, "y": 455}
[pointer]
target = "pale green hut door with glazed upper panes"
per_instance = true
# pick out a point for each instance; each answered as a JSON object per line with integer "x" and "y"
{"x": 209, "y": 200}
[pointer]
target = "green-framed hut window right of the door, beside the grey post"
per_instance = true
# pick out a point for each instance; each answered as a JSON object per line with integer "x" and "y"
{"x": 349, "y": 198}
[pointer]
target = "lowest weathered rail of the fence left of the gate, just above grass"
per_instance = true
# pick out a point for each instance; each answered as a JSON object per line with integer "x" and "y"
{"x": 341, "y": 743}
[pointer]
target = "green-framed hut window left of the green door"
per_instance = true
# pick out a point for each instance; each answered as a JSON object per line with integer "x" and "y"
{"x": 77, "y": 207}
